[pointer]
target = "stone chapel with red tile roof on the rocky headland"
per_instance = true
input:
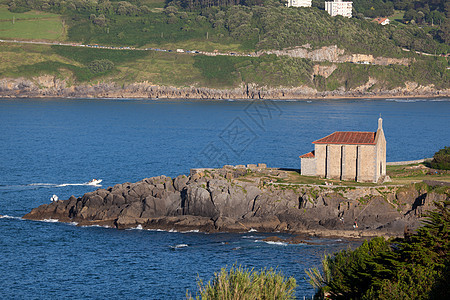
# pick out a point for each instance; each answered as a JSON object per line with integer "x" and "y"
{"x": 348, "y": 155}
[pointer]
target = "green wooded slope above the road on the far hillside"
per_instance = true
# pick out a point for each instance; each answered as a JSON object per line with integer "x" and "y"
{"x": 253, "y": 25}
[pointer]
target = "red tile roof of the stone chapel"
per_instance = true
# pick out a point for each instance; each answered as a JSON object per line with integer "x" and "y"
{"x": 348, "y": 137}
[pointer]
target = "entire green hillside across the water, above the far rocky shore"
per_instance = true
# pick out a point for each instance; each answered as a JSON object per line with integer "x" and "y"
{"x": 228, "y": 26}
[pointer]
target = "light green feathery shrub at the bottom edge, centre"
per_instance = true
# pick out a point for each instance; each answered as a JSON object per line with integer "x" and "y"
{"x": 245, "y": 284}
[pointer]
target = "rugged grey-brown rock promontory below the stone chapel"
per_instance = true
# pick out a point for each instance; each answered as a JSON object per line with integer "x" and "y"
{"x": 227, "y": 200}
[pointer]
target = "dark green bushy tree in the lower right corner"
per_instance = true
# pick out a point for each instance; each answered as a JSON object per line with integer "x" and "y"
{"x": 414, "y": 267}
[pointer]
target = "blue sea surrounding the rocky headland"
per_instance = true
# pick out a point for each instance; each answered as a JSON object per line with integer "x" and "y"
{"x": 54, "y": 146}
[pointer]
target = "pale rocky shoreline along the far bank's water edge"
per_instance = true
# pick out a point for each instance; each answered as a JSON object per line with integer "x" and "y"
{"x": 51, "y": 86}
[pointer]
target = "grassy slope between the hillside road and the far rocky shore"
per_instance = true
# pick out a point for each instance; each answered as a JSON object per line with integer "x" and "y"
{"x": 164, "y": 68}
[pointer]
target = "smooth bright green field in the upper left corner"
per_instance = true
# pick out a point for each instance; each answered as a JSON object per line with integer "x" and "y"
{"x": 31, "y": 25}
